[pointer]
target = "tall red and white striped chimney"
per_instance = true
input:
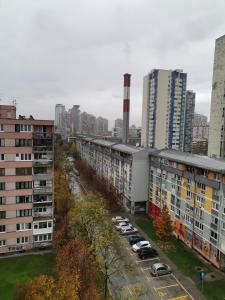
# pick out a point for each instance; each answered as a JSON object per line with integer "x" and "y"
{"x": 126, "y": 107}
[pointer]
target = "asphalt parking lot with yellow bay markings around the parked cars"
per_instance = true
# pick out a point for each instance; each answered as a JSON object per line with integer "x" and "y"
{"x": 140, "y": 284}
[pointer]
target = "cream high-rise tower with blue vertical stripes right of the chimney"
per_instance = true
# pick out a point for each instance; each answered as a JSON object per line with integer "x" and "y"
{"x": 164, "y": 110}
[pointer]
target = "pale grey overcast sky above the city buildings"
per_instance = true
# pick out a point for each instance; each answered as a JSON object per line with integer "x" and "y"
{"x": 76, "y": 51}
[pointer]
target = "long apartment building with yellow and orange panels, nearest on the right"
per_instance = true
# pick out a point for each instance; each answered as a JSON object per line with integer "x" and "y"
{"x": 193, "y": 188}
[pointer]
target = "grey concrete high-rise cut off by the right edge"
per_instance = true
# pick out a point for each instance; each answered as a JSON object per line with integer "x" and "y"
{"x": 217, "y": 114}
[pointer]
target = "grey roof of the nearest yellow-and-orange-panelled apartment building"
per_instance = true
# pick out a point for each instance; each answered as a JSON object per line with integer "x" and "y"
{"x": 195, "y": 160}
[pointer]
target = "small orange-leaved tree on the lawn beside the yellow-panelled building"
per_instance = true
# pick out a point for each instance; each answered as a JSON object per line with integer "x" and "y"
{"x": 163, "y": 225}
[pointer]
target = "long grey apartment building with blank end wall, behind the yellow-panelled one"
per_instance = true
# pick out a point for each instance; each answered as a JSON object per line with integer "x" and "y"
{"x": 121, "y": 167}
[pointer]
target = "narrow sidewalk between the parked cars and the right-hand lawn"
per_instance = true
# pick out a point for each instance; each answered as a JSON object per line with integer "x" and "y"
{"x": 184, "y": 280}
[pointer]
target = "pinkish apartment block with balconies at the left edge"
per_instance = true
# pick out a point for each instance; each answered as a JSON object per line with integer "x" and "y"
{"x": 26, "y": 181}
